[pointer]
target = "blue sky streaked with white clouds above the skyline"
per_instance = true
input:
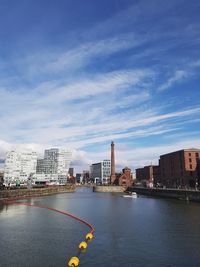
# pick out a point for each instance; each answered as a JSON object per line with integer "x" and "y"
{"x": 80, "y": 74}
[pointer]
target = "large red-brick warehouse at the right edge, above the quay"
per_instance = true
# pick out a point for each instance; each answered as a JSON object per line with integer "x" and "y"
{"x": 180, "y": 168}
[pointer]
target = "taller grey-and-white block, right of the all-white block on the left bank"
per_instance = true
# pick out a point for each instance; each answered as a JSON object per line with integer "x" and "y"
{"x": 54, "y": 167}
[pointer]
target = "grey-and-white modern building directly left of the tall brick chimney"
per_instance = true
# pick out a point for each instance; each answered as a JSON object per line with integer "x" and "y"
{"x": 100, "y": 172}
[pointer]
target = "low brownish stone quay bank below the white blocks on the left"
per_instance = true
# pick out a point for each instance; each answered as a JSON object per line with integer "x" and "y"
{"x": 35, "y": 192}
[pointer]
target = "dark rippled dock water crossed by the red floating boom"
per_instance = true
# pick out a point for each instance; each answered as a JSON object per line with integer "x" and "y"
{"x": 142, "y": 232}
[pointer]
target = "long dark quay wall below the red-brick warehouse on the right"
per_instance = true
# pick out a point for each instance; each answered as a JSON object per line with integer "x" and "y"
{"x": 193, "y": 195}
